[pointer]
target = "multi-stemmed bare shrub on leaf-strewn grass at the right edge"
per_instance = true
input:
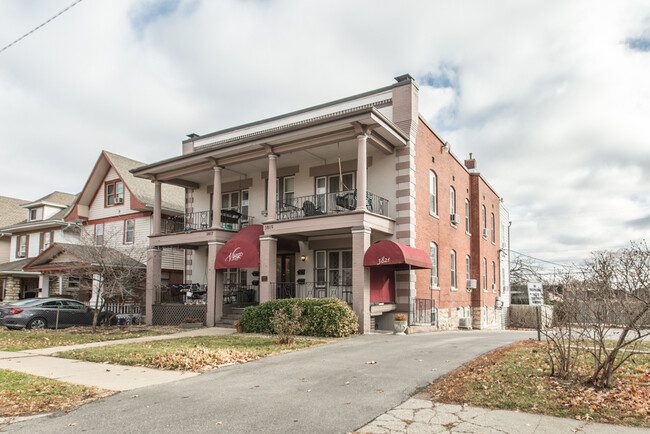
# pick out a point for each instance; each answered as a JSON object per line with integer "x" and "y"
{"x": 605, "y": 312}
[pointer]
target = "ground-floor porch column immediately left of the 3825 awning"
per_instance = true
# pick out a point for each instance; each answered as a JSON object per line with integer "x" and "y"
{"x": 361, "y": 277}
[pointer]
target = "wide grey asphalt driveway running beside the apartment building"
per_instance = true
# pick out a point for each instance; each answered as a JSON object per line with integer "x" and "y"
{"x": 334, "y": 388}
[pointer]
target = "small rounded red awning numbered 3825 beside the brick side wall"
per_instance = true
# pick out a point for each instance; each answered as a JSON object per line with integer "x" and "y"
{"x": 395, "y": 255}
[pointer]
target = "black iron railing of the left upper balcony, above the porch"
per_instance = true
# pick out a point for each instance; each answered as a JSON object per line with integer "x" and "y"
{"x": 231, "y": 220}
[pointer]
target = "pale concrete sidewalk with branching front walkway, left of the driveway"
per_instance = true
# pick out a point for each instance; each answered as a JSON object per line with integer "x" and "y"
{"x": 106, "y": 376}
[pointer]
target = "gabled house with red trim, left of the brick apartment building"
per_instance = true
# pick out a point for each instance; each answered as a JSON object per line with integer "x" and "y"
{"x": 114, "y": 209}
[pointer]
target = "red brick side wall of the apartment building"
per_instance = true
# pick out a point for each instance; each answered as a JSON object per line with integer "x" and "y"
{"x": 430, "y": 155}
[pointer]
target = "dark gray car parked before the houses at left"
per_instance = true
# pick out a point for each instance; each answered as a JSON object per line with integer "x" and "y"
{"x": 38, "y": 313}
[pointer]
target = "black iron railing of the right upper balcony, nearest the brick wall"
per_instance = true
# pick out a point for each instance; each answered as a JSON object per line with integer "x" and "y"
{"x": 328, "y": 204}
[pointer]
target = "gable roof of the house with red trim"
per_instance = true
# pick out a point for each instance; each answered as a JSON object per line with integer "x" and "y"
{"x": 142, "y": 190}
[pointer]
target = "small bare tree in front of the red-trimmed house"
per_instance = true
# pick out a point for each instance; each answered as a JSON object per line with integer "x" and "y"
{"x": 110, "y": 273}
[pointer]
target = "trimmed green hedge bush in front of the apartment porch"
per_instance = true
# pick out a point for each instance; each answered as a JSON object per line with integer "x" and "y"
{"x": 323, "y": 317}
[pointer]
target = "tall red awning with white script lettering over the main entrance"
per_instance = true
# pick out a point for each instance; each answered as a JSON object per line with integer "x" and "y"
{"x": 242, "y": 250}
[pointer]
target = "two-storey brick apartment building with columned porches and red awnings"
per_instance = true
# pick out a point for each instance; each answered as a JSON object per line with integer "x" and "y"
{"x": 357, "y": 199}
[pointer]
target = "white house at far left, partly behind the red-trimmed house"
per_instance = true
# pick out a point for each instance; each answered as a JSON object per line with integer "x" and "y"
{"x": 42, "y": 225}
